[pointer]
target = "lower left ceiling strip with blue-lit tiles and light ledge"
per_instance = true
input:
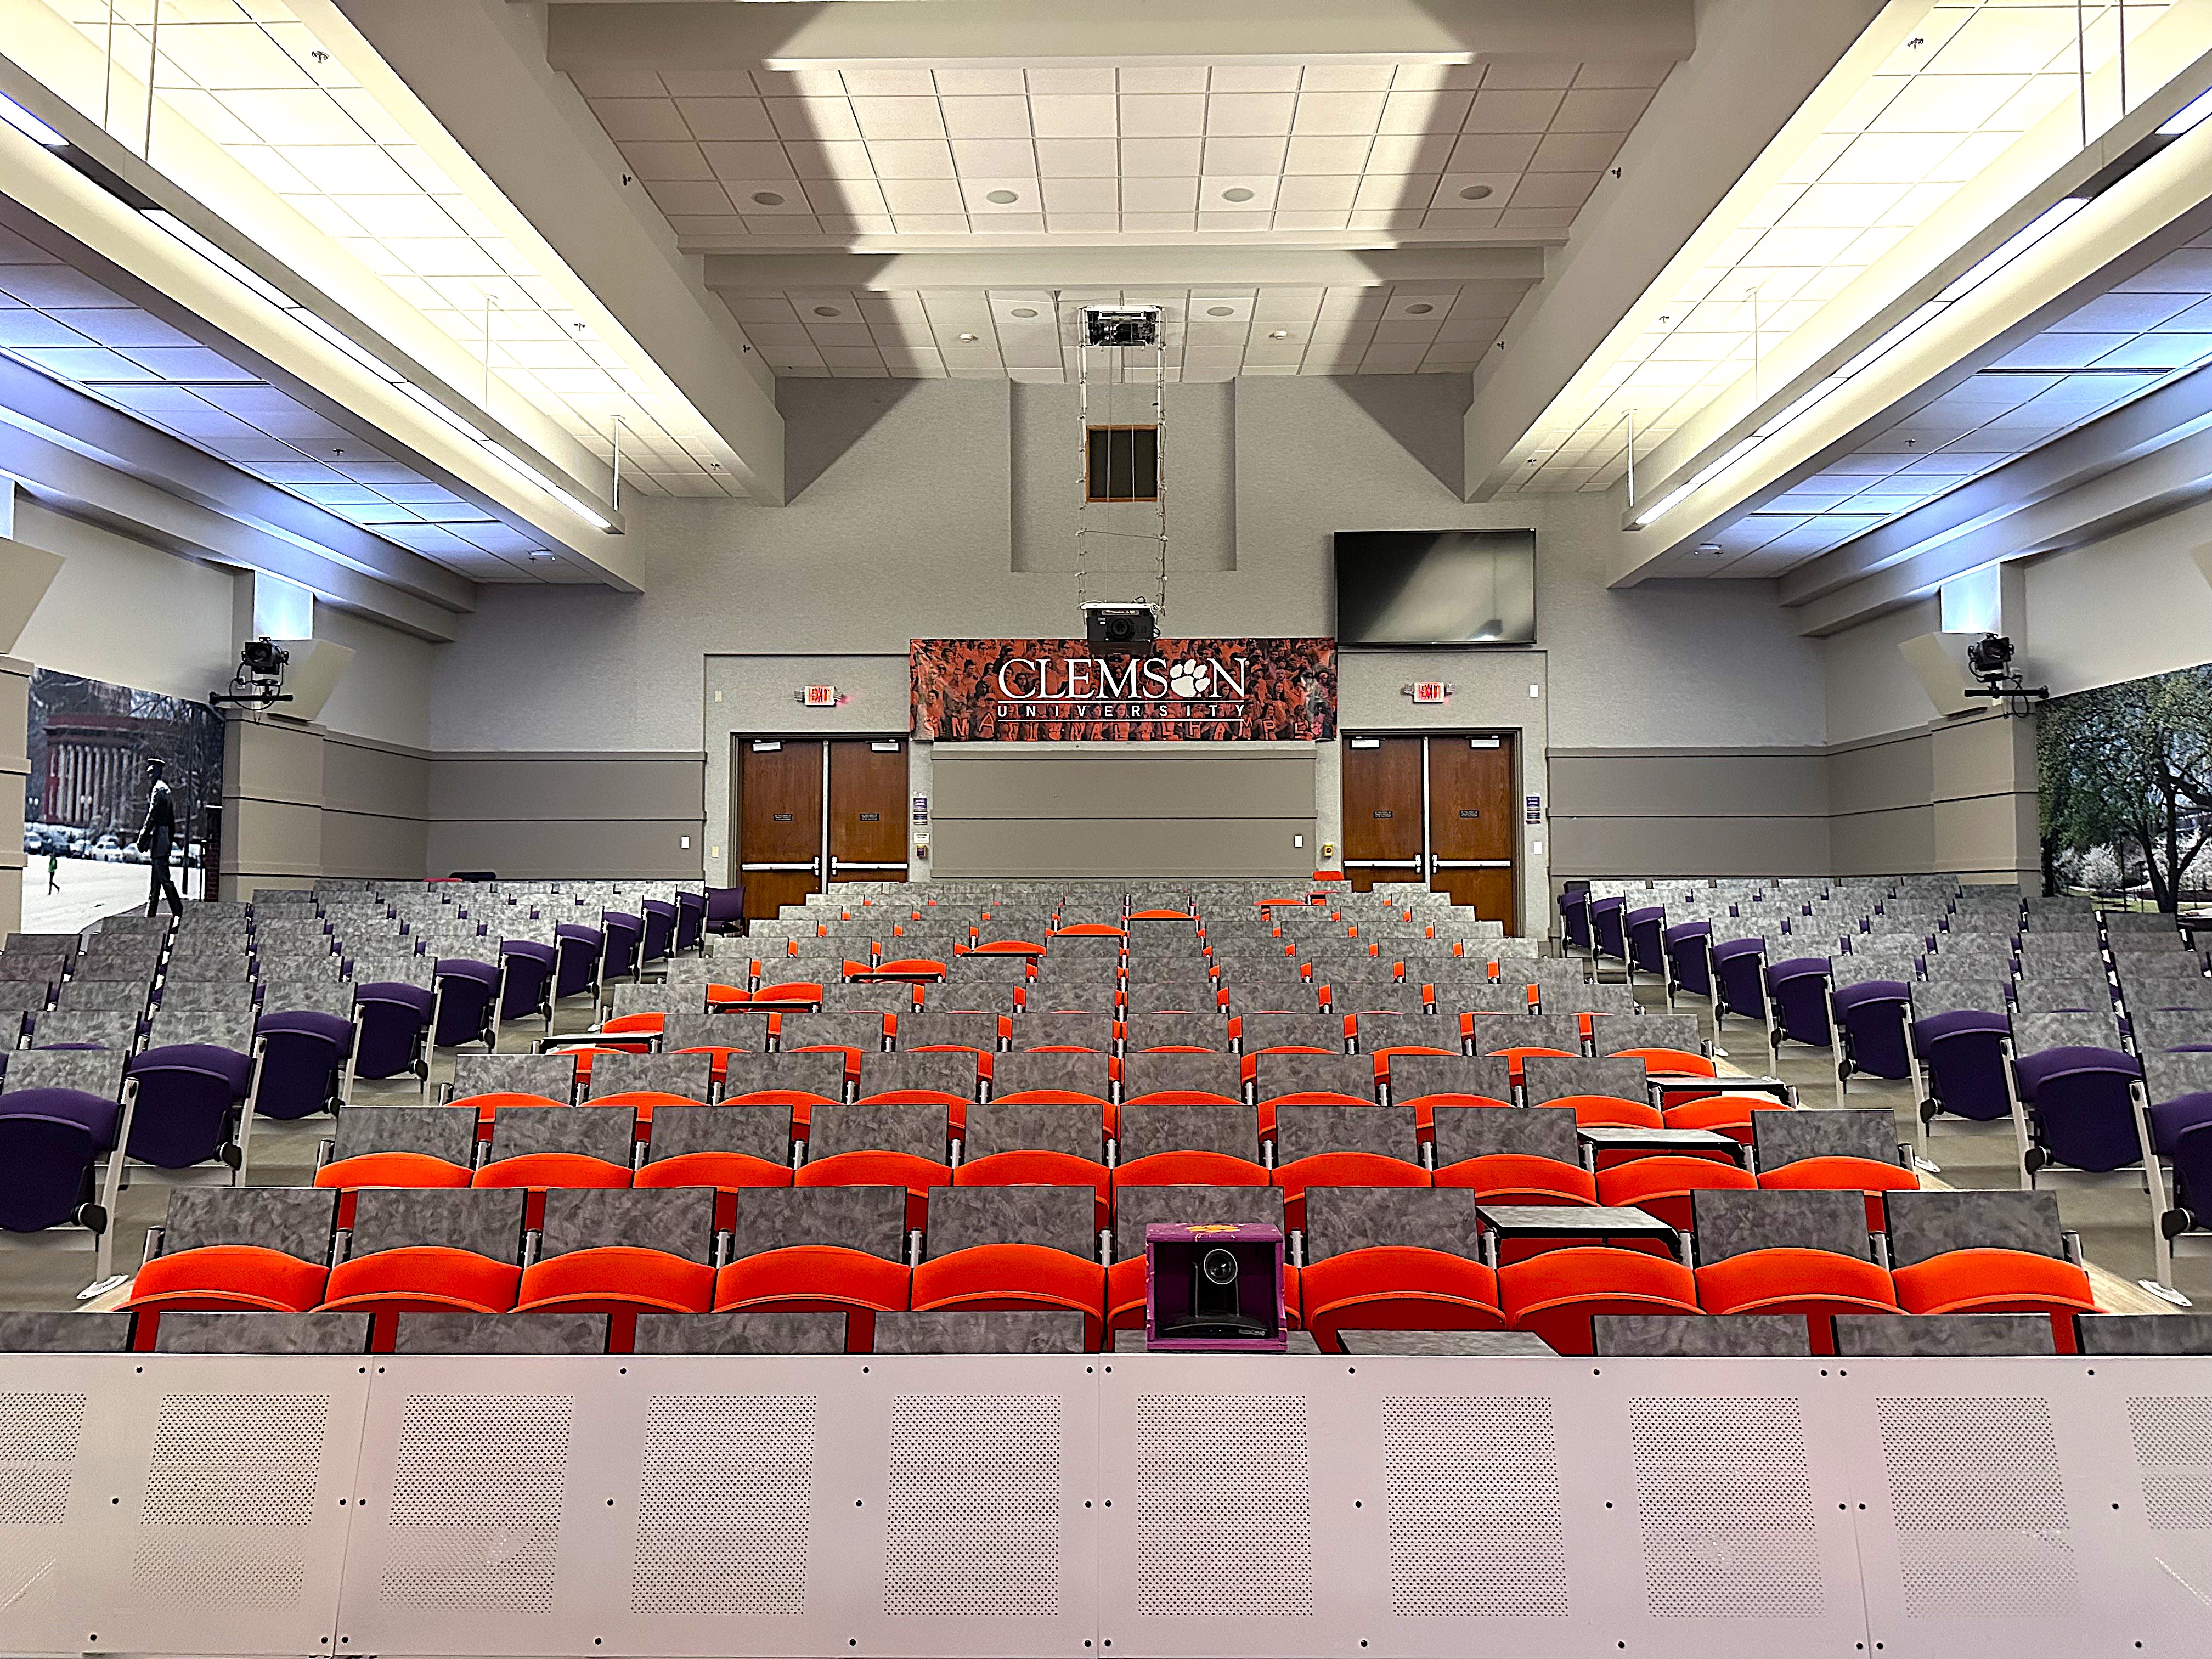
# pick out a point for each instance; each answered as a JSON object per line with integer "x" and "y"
{"x": 98, "y": 293}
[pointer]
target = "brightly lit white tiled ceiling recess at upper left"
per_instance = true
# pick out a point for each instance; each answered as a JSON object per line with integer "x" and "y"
{"x": 295, "y": 134}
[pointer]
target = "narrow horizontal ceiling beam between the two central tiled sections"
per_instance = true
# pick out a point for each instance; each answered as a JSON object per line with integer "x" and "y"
{"x": 1123, "y": 267}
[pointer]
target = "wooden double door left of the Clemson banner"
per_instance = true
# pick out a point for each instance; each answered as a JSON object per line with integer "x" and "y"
{"x": 817, "y": 811}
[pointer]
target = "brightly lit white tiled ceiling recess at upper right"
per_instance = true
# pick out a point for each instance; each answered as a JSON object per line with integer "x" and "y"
{"x": 1897, "y": 169}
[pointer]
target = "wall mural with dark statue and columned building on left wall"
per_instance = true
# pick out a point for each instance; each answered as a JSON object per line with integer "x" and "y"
{"x": 85, "y": 800}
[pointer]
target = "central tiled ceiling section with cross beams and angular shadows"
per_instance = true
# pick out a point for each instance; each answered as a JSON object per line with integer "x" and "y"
{"x": 870, "y": 178}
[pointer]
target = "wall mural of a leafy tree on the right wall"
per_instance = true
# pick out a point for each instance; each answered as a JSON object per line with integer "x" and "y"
{"x": 2127, "y": 791}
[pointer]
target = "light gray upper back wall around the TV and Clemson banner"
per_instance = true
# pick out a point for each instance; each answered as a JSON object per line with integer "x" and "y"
{"x": 930, "y": 512}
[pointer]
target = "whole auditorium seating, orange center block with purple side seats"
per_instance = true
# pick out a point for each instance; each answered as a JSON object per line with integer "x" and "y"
{"x": 972, "y": 1100}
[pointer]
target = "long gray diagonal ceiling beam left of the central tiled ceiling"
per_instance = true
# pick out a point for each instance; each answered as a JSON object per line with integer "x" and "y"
{"x": 481, "y": 70}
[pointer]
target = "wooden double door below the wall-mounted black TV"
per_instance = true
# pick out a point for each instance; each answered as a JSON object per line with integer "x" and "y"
{"x": 1437, "y": 811}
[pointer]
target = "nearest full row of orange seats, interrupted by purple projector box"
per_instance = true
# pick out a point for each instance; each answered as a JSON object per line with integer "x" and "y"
{"x": 1373, "y": 1258}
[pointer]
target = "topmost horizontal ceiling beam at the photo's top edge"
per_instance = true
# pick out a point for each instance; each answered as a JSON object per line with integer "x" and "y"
{"x": 1249, "y": 32}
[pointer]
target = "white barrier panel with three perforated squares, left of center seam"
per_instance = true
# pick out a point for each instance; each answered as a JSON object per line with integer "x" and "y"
{"x": 727, "y": 1507}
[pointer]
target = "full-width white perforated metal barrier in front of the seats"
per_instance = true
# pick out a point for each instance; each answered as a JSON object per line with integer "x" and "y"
{"x": 1105, "y": 1505}
